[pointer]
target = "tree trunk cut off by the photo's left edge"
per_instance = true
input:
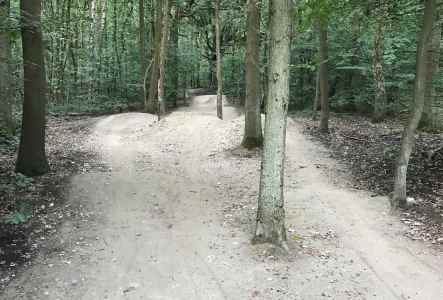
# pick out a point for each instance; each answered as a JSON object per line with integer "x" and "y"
{"x": 6, "y": 95}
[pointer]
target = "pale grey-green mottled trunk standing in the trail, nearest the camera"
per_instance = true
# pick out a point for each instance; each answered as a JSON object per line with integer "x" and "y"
{"x": 270, "y": 225}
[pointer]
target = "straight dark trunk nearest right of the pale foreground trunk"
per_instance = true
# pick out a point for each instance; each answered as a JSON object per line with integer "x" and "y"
{"x": 324, "y": 86}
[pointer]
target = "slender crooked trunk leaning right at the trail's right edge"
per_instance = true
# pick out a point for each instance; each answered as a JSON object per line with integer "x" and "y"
{"x": 408, "y": 143}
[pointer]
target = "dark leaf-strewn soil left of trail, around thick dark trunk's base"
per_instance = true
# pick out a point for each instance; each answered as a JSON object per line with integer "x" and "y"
{"x": 68, "y": 153}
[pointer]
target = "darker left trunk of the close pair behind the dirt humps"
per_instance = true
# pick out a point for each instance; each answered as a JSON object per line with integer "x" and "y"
{"x": 151, "y": 103}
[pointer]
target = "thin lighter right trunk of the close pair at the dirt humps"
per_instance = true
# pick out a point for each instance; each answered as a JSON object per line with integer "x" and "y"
{"x": 162, "y": 59}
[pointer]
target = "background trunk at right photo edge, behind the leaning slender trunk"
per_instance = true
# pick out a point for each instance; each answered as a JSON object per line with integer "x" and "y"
{"x": 430, "y": 119}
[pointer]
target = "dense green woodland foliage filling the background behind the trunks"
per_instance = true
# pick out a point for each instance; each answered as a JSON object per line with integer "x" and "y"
{"x": 92, "y": 53}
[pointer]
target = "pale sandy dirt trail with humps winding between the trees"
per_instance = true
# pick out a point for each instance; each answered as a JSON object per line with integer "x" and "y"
{"x": 173, "y": 216}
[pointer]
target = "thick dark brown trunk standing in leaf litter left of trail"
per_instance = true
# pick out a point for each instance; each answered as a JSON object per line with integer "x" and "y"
{"x": 31, "y": 158}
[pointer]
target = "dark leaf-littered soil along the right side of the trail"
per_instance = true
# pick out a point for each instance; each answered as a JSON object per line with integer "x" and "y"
{"x": 370, "y": 151}
